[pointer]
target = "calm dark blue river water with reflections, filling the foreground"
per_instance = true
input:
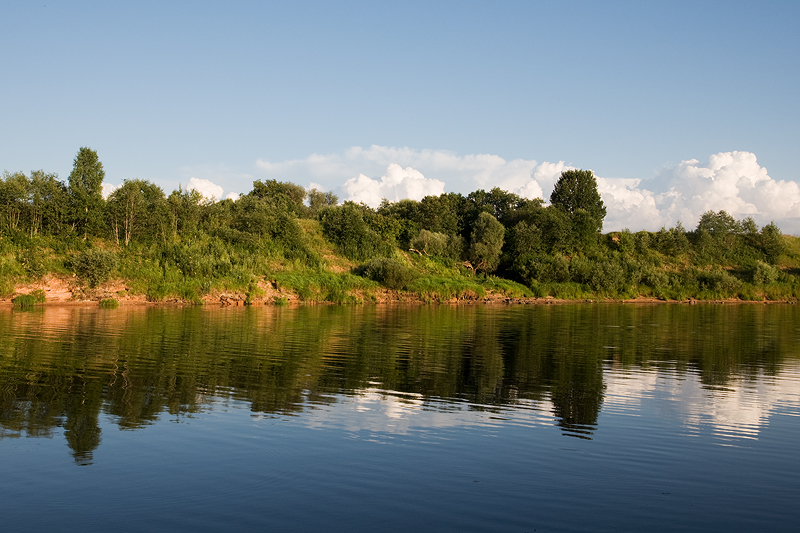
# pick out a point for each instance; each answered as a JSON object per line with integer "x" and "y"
{"x": 530, "y": 418}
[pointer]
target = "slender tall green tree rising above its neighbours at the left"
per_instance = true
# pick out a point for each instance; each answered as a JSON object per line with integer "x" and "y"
{"x": 85, "y": 189}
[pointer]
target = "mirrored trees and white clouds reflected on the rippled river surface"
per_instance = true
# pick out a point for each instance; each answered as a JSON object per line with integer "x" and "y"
{"x": 397, "y": 366}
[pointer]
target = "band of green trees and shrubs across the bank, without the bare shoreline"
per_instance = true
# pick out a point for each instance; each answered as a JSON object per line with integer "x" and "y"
{"x": 556, "y": 247}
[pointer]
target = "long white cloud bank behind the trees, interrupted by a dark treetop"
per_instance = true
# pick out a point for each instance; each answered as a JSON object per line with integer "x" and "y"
{"x": 733, "y": 181}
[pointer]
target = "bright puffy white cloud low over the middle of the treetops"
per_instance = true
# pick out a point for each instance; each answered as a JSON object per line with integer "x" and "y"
{"x": 397, "y": 183}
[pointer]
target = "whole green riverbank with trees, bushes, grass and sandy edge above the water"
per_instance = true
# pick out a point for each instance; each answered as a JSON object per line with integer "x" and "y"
{"x": 280, "y": 243}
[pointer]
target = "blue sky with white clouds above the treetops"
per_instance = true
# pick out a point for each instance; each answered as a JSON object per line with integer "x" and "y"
{"x": 677, "y": 107}
